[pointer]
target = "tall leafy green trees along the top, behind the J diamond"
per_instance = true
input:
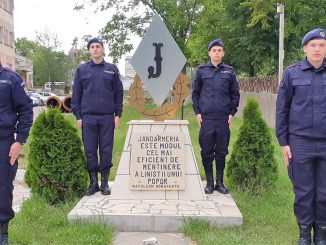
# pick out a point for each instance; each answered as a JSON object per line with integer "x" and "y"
{"x": 249, "y": 28}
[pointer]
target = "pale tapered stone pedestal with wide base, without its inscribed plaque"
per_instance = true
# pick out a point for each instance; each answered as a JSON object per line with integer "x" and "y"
{"x": 157, "y": 210}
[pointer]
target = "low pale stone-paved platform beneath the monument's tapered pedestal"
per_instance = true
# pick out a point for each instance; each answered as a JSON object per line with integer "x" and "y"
{"x": 156, "y": 215}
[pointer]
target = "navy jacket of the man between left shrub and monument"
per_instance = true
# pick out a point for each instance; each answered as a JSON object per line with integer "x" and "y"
{"x": 97, "y": 90}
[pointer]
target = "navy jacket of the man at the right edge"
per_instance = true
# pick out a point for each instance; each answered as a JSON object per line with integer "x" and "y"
{"x": 301, "y": 103}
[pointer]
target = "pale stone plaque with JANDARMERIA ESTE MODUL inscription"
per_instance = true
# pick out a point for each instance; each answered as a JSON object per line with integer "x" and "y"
{"x": 157, "y": 161}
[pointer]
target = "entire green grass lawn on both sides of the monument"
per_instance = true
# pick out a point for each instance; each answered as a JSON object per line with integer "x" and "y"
{"x": 268, "y": 219}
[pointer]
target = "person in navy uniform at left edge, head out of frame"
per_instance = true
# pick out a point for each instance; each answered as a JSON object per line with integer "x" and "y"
{"x": 16, "y": 118}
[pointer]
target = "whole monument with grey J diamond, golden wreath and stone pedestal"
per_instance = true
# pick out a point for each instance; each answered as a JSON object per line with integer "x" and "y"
{"x": 157, "y": 184}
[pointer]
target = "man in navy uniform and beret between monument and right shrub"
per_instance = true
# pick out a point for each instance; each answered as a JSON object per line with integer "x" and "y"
{"x": 215, "y": 100}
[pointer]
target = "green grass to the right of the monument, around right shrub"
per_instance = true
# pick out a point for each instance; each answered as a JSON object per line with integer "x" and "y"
{"x": 268, "y": 219}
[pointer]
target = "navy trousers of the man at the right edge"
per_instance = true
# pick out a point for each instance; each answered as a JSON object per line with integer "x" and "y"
{"x": 307, "y": 171}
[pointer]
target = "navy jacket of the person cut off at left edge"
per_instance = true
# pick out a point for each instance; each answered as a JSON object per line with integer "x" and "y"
{"x": 16, "y": 108}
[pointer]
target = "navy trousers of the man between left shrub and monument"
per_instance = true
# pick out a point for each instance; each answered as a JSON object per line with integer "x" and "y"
{"x": 98, "y": 135}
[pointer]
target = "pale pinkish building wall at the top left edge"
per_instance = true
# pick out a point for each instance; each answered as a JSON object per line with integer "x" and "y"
{"x": 7, "y": 37}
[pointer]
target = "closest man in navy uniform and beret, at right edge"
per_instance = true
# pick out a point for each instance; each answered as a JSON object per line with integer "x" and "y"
{"x": 301, "y": 132}
